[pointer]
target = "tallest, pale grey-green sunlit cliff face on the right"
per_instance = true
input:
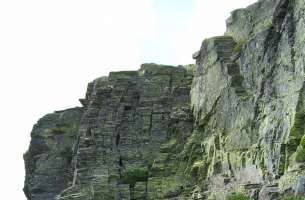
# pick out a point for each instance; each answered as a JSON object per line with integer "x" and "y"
{"x": 253, "y": 107}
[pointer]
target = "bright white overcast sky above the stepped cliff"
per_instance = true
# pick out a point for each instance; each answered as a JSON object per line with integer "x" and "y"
{"x": 51, "y": 49}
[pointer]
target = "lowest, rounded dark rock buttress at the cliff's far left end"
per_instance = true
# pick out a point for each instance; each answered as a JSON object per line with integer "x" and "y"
{"x": 48, "y": 160}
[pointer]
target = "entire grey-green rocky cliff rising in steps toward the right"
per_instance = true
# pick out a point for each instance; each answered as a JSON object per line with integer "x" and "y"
{"x": 230, "y": 127}
